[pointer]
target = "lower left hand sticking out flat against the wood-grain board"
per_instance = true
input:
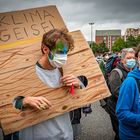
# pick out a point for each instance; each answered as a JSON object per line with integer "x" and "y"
{"x": 40, "y": 103}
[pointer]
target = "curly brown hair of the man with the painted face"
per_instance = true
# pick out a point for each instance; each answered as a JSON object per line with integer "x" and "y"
{"x": 50, "y": 38}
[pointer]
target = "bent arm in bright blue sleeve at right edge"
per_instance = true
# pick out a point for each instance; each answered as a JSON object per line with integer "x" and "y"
{"x": 125, "y": 104}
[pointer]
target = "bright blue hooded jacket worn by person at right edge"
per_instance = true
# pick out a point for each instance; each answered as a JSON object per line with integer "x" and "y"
{"x": 128, "y": 108}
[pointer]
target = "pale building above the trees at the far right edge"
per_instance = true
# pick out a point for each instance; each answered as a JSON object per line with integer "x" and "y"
{"x": 131, "y": 31}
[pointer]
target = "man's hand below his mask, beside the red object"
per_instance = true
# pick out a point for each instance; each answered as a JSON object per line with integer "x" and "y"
{"x": 70, "y": 79}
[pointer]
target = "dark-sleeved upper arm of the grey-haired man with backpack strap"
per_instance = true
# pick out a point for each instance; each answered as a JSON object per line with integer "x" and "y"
{"x": 115, "y": 83}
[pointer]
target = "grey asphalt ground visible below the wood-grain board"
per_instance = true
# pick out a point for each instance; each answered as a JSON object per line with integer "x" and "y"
{"x": 95, "y": 126}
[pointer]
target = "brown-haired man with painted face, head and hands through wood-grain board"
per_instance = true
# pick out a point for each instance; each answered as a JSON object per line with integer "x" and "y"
{"x": 55, "y": 46}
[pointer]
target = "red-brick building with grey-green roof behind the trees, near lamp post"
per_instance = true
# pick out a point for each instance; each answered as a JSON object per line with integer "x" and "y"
{"x": 107, "y": 36}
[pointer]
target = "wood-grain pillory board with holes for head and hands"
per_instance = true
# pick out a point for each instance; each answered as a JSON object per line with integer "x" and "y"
{"x": 21, "y": 79}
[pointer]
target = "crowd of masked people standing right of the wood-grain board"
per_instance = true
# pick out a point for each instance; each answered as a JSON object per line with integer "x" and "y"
{"x": 123, "y": 106}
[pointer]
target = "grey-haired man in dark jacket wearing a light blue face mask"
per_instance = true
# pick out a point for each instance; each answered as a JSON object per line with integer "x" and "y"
{"x": 116, "y": 78}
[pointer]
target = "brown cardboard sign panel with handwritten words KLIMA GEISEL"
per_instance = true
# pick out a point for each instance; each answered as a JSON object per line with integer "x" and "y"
{"x": 28, "y": 24}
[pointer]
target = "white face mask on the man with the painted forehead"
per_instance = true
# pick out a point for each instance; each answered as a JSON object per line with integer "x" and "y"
{"x": 58, "y": 60}
